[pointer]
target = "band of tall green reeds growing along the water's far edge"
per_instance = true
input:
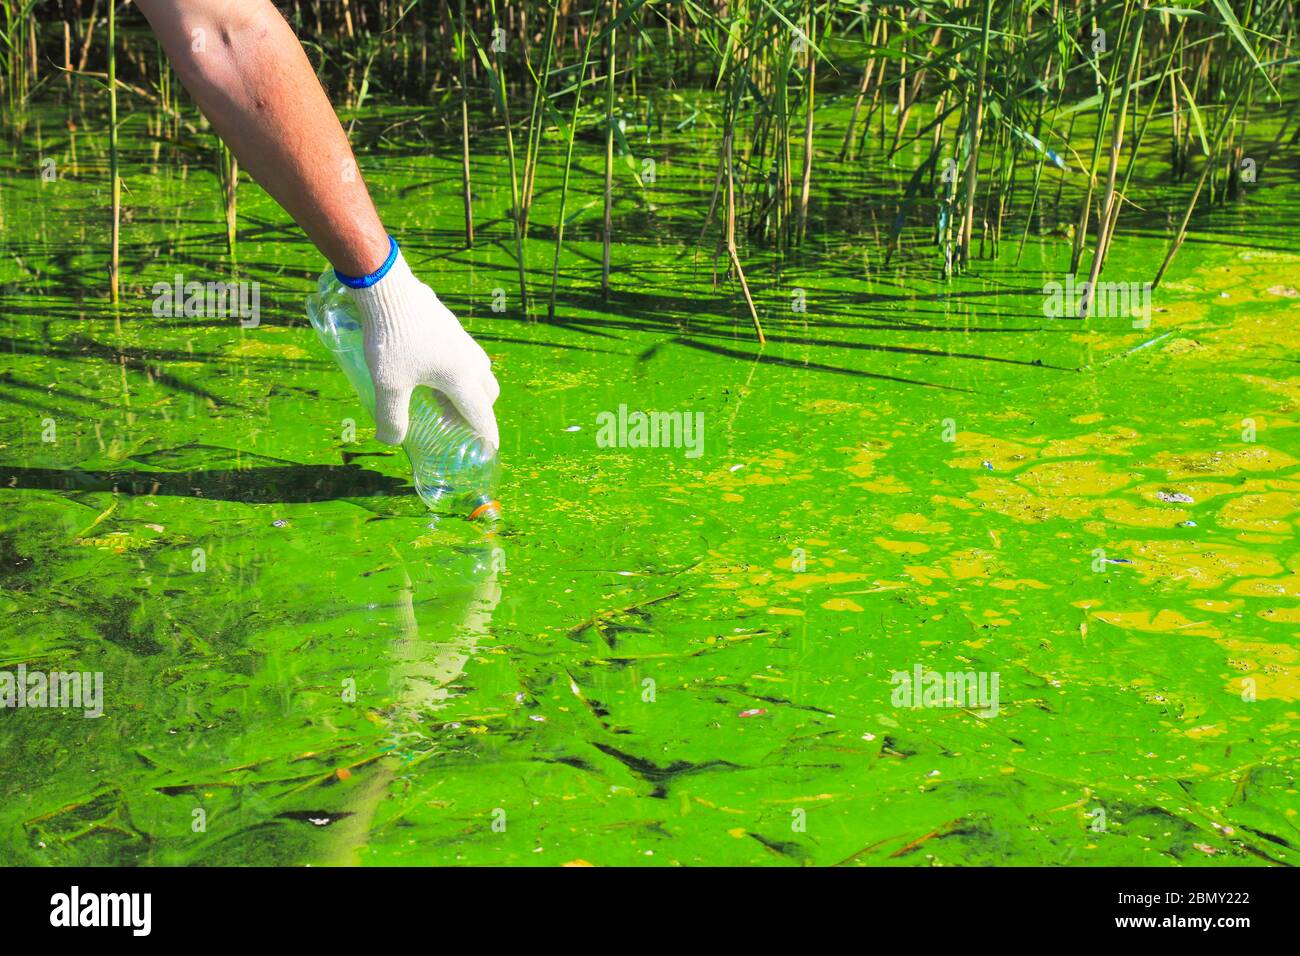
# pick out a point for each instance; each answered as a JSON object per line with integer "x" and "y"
{"x": 1030, "y": 115}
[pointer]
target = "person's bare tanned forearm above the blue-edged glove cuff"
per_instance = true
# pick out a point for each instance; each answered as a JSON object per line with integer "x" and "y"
{"x": 254, "y": 83}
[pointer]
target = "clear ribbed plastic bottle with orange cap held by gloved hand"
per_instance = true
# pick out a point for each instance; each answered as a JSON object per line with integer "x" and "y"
{"x": 452, "y": 468}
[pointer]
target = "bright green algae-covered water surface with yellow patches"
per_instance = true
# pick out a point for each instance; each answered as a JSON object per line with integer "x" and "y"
{"x": 662, "y": 656}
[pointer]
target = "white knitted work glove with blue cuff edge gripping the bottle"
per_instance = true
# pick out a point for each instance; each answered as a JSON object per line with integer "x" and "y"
{"x": 411, "y": 339}
